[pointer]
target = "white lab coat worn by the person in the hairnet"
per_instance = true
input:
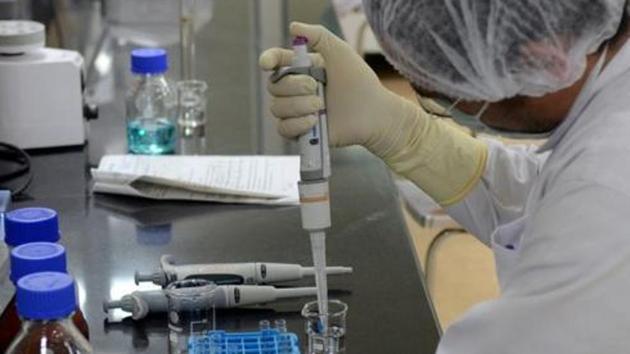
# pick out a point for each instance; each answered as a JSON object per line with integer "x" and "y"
{"x": 558, "y": 221}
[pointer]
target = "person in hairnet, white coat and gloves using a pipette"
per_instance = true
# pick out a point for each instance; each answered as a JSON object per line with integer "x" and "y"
{"x": 557, "y": 217}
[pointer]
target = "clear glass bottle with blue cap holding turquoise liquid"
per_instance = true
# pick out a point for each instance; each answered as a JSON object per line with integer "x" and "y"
{"x": 151, "y": 105}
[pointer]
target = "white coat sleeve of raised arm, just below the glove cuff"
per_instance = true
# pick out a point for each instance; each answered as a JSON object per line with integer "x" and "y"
{"x": 500, "y": 195}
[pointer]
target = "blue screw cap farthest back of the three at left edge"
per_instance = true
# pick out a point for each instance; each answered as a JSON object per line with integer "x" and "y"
{"x": 30, "y": 225}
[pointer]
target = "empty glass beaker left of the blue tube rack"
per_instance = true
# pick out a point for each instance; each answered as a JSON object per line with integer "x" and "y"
{"x": 189, "y": 311}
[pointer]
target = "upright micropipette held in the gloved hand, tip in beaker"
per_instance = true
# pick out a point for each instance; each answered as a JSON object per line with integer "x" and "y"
{"x": 314, "y": 172}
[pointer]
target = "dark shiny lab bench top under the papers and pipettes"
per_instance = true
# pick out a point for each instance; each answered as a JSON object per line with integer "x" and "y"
{"x": 108, "y": 238}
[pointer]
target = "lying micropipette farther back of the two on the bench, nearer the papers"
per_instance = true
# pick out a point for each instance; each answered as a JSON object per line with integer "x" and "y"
{"x": 231, "y": 273}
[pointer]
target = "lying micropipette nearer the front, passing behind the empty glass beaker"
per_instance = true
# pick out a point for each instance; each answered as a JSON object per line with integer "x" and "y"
{"x": 141, "y": 303}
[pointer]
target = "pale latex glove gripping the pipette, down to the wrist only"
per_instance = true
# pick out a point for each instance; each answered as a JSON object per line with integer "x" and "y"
{"x": 360, "y": 110}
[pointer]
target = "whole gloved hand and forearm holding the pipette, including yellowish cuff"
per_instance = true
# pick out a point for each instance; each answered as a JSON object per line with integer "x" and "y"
{"x": 443, "y": 161}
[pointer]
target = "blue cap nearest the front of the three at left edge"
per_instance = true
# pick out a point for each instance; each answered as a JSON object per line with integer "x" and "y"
{"x": 46, "y": 296}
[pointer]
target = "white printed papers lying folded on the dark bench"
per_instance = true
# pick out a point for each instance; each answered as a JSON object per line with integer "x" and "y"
{"x": 270, "y": 180}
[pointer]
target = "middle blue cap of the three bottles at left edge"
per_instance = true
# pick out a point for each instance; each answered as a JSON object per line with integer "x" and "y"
{"x": 37, "y": 257}
